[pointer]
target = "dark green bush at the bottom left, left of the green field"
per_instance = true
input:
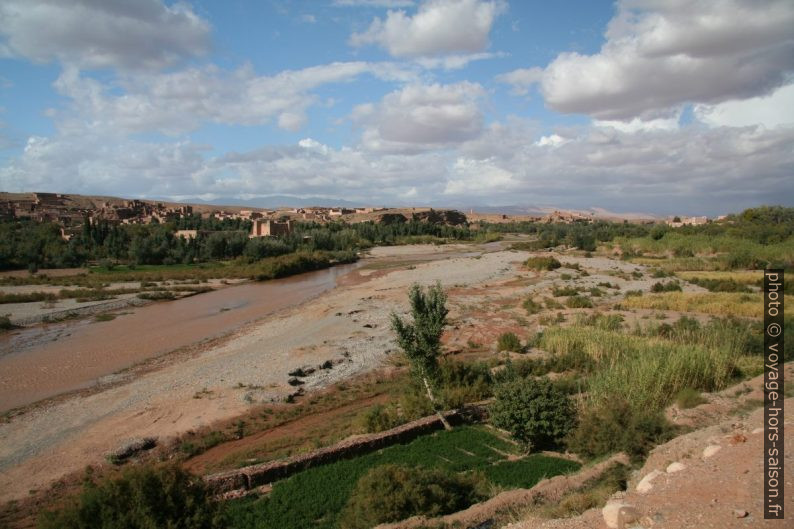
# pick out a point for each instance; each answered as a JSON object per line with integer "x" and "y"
{"x": 142, "y": 498}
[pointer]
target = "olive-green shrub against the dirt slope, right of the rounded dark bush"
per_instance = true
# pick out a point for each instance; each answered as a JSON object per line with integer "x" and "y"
{"x": 618, "y": 427}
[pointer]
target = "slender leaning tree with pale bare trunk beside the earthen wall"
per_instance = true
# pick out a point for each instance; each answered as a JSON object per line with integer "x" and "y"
{"x": 421, "y": 340}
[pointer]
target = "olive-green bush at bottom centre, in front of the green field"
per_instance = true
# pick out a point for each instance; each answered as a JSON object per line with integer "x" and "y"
{"x": 390, "y": 493}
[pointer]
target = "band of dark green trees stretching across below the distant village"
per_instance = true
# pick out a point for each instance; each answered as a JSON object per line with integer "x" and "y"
{"x": 33, "y": 245}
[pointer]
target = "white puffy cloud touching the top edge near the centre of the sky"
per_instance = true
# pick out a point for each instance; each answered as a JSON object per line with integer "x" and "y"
{"x": 439, "y": 27}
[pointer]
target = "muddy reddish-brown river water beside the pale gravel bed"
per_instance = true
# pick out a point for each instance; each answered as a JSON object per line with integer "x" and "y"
{"x": 45, "y": 361}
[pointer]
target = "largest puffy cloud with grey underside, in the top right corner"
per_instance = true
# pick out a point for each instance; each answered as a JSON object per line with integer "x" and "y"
{"x": 659, "y": 55}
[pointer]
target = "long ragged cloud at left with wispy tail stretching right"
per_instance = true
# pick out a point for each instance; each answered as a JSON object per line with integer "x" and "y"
{"x": 181, "y": 101}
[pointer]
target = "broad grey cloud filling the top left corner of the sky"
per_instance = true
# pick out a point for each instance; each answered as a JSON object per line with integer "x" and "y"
{"x": 144, "y": 34}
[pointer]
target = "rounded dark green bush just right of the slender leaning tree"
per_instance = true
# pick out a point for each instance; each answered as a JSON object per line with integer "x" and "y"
{"x": 534, "y": 411}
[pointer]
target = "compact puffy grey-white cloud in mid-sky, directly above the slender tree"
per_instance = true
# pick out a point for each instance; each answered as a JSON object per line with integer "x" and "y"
{"x": 420, "y": 117}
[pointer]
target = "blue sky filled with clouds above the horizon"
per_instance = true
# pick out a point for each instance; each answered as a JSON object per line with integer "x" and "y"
{"x": 663, "y": 107}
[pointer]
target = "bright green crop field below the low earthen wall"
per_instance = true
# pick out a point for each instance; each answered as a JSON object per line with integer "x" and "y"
{"x": 314, "y": 498}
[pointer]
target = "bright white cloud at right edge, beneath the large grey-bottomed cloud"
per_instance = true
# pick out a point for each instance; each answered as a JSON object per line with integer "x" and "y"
{"x": 774, "y": 110}
